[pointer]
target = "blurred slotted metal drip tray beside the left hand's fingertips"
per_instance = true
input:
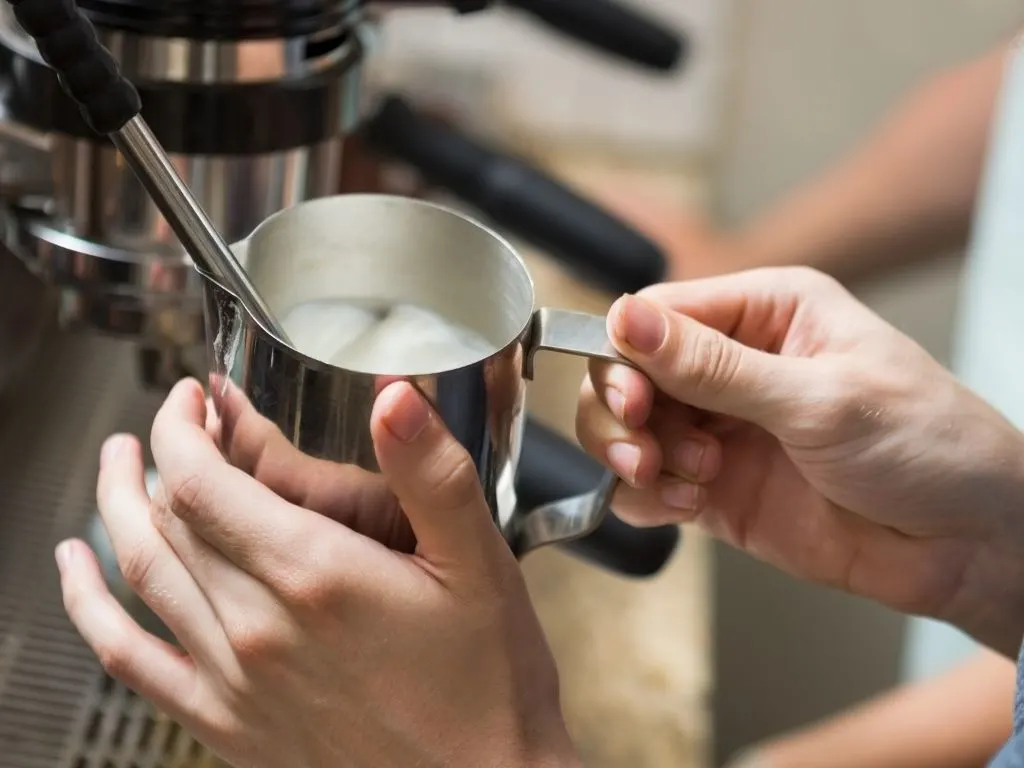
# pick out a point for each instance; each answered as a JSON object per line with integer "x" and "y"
{"x": 58, "y": 709}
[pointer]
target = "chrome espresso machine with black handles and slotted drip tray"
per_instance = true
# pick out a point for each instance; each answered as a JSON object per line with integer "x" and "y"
{"x": 262, "y": 105}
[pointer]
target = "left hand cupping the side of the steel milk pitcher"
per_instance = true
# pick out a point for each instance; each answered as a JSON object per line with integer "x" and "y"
{"x": 304, "y": 643}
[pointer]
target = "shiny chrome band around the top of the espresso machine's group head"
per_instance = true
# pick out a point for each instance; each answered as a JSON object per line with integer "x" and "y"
{"x": 184, "y": 61}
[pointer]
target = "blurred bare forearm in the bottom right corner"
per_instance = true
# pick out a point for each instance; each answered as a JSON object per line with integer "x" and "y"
{"x": 958, "y": 720}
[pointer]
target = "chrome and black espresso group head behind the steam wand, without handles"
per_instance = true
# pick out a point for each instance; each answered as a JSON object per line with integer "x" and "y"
{"x": 254, "y": 123}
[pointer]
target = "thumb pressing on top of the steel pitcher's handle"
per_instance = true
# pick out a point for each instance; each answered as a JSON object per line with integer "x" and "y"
{"x": 704, "y": 368}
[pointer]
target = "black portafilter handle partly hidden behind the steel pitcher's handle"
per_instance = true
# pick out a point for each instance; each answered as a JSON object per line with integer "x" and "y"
{"x": 552, "y": 468}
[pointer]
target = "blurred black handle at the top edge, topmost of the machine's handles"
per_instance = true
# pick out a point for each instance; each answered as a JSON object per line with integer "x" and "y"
{"x": 611, "y": 27}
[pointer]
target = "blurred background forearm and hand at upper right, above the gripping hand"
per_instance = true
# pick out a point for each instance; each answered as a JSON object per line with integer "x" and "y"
{"x": 905, "y": 194}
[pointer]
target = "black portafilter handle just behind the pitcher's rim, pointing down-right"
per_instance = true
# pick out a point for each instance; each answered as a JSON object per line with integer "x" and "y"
{"x": 521, "y": 198}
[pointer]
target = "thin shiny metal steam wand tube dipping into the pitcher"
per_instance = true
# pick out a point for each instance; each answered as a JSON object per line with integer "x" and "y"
{"x": 186, "y": 217}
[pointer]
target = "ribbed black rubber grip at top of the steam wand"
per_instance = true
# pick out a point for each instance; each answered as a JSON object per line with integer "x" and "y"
{"x": 89, "y": 73}
